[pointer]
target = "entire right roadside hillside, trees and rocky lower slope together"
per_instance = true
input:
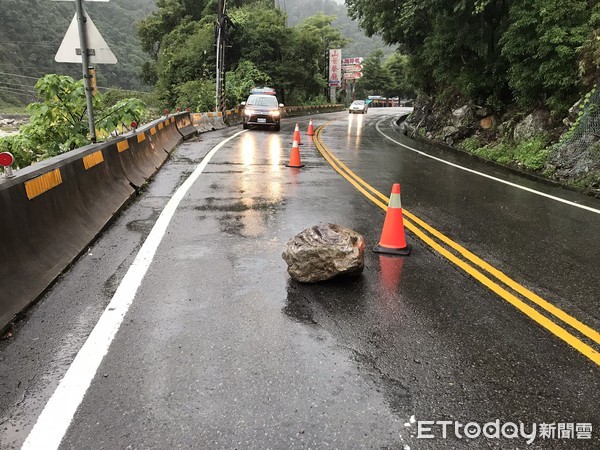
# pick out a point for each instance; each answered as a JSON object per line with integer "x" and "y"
{"x": 509, "y": 81}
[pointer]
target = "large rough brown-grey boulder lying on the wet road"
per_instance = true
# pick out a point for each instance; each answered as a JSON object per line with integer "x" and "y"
{"x": 324, "y": 251}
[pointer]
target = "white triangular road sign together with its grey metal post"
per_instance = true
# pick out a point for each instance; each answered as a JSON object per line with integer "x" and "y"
{"x": 84, "y": 44}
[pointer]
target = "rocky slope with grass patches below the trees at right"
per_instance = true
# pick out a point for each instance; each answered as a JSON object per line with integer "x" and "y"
{"x": 567, "y": 151}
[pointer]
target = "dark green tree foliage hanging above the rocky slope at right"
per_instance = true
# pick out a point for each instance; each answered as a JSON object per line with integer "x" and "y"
{"x": 491, "y": 52}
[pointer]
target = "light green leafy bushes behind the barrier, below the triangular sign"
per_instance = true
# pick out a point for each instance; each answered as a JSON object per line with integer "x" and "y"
{"x": 59, "y": 123}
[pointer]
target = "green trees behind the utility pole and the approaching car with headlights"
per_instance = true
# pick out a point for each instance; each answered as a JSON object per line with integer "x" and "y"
{"x": 179, "y": 37}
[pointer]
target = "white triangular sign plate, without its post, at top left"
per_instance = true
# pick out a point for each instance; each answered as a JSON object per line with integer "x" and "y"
{"x": 98, "y": 50}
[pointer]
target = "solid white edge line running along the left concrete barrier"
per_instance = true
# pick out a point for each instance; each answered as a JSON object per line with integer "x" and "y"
{"x": 56, "y": 417}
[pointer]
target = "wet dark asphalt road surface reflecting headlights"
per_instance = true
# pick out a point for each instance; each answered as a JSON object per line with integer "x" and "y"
{"x": 221, "y": 350}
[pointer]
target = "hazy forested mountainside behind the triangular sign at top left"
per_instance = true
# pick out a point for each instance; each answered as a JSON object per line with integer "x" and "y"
{"x": 31, "y": 32}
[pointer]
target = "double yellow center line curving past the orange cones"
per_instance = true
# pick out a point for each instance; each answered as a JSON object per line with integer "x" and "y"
{"x": 483, "y": 272}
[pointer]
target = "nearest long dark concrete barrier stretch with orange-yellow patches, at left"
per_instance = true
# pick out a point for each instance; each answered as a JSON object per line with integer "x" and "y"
{"x": 52, "y": 210}
